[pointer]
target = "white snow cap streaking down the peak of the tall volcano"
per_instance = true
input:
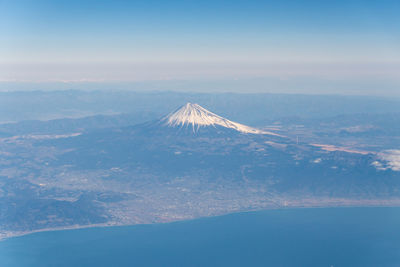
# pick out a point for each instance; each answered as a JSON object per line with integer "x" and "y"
{"x": 195, "y": 116}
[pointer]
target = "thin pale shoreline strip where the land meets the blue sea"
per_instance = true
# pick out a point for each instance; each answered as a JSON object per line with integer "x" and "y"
{"x": 6, "y": 235}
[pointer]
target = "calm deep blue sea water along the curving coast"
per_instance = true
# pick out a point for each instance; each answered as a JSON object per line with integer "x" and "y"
{"x": 288, "y": 237}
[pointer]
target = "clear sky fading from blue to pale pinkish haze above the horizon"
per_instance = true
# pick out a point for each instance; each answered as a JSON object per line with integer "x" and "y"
{"x": 114, "y": 41}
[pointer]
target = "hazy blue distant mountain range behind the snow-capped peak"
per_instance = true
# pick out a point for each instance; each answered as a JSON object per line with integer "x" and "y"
{"x": 250, "y": 109}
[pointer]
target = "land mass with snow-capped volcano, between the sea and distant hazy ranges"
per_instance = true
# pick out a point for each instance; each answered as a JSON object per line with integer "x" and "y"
{"x": 188, "y": 164}
